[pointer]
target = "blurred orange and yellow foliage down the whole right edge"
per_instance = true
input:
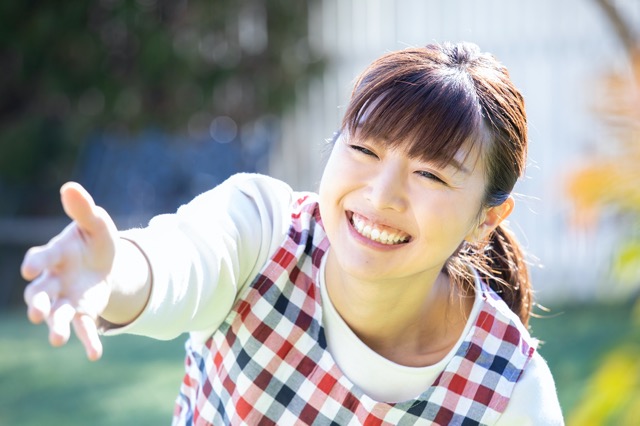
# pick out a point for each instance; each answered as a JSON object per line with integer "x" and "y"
{"x": 610, "y": 181}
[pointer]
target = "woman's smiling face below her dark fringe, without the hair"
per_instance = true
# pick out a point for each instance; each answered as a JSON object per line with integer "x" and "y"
{"x": 391, "y": 217}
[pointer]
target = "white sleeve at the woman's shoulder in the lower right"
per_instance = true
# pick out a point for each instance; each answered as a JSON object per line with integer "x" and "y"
{"x": 534, "y": 400}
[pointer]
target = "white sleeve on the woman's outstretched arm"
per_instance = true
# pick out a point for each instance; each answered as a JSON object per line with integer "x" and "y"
{"x": 206, "y": 252}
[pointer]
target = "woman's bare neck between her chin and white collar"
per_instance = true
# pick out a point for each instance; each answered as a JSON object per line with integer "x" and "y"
{"x": 413, "y": 321}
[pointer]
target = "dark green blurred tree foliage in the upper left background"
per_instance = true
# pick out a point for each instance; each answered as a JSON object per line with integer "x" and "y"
{"x": 72, "y": 68}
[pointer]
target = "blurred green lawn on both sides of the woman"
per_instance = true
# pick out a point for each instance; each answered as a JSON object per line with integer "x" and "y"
{"x": 137, "y": 379}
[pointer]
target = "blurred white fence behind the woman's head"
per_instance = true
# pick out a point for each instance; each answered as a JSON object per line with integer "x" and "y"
{"x": 555, "y": 51}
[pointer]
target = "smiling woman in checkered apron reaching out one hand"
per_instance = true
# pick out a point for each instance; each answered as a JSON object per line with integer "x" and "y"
{"x": 392, "y": 296}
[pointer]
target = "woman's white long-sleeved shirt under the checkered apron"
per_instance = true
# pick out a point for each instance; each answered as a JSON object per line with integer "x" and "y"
{"x": 202, "y": 256}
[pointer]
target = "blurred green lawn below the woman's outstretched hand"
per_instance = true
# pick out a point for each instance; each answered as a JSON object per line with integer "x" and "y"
{"x": 135, "y": 383}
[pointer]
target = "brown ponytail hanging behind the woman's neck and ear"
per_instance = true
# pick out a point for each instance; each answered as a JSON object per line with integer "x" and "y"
{"x": 506, "y": 272}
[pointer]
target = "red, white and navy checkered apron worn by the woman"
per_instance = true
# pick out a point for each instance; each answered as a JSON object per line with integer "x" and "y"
{"x": 268, "y": 363}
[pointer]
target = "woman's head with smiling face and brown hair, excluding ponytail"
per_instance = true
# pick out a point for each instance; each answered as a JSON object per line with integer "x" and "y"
{"x": 433, "y": 141}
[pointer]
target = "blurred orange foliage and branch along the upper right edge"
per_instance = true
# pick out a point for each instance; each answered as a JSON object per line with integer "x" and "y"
{"x": 610, "y": 180}
